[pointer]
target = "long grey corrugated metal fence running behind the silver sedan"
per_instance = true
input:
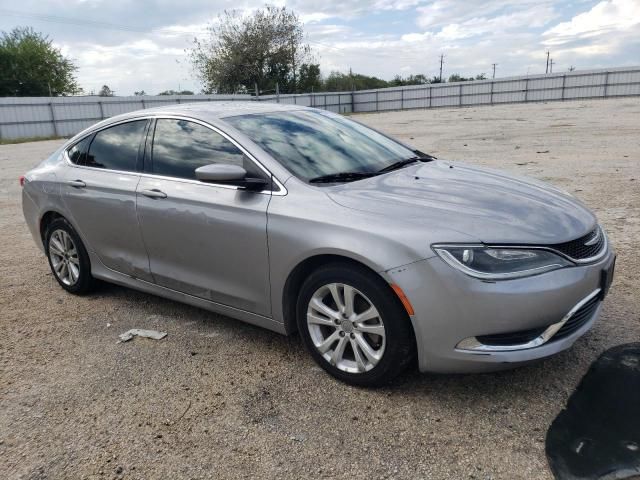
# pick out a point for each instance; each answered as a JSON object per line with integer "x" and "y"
{"x": 64, "y": 116}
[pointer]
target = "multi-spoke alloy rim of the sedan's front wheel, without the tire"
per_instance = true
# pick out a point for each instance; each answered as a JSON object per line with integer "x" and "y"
{"x": 346, "y": 328}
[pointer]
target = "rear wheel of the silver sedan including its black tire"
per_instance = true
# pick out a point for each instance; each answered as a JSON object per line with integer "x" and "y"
{"x": 68, "y": 257}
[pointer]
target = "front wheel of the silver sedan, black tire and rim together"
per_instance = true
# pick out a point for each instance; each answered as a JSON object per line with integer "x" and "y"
{"x": 354, "y": 326}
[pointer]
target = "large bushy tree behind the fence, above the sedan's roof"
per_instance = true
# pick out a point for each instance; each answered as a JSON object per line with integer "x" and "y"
{"x": 239, "y": 52}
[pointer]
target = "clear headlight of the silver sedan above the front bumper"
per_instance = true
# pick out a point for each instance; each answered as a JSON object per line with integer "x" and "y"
{"x": 496, "y": 263}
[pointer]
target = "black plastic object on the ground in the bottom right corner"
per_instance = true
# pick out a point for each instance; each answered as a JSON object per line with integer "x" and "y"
{"x": 598, "y": 435}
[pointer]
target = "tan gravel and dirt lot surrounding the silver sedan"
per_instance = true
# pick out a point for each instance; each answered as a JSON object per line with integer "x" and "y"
{"x": 221, "y": 399}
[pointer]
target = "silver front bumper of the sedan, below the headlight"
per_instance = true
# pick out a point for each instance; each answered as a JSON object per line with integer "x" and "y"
{"x": 452, "y": 309}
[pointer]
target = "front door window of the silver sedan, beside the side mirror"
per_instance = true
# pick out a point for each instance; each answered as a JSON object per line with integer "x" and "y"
{"x": 180, "y": 146}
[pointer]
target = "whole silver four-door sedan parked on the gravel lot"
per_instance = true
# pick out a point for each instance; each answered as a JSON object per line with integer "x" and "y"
{"x": 295, "y": 219}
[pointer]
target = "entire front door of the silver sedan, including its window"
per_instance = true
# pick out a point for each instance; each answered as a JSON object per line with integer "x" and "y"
{"x": 203, "y": 239}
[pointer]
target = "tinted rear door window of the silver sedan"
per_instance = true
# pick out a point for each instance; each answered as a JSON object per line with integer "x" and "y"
{"x": 116, "y": 148}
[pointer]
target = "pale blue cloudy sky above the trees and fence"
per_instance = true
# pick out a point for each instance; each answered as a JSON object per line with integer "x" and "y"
{"x": 141, "y": 45}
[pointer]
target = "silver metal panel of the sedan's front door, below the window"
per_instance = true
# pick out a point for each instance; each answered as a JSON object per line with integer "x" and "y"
{"x": 207, "y": 241}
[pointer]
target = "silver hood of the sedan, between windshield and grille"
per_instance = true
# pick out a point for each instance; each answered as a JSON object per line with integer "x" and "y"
{"x": 488, "y": 205}
